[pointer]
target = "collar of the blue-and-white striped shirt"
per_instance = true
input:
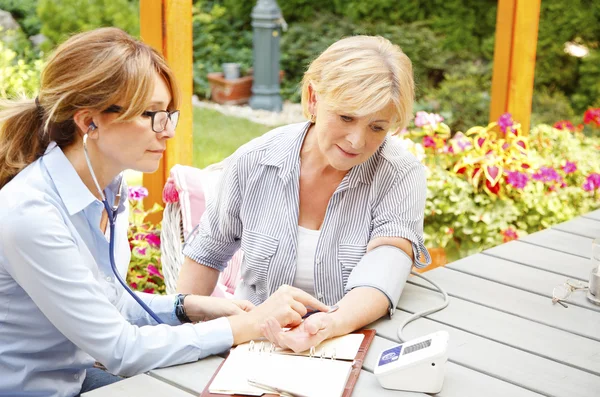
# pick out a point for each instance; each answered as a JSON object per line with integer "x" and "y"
{"x": 285, "y": 154}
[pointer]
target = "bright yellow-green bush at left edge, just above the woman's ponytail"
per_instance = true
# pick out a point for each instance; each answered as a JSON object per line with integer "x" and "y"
{"x": 17, "y": 75}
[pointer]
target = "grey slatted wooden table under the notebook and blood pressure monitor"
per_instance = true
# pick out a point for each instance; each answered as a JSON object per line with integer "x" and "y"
{"x": 507, "y": 339}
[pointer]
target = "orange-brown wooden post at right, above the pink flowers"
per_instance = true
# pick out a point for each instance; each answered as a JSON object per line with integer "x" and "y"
{"x": 514, "y": 59}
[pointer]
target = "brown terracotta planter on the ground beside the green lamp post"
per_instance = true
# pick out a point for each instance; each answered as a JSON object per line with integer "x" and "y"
{"x": 231, "y": 92}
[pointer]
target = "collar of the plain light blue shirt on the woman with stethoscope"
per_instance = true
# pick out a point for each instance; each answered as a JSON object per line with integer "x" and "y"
{"x": 71, "y": 189}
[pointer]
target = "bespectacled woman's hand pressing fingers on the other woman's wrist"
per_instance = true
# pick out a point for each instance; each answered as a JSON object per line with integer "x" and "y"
{"x": 287, "y": 305}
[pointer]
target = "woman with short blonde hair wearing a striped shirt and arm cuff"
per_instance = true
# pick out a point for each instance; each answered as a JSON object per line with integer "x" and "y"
{"x": 331, "y": 206}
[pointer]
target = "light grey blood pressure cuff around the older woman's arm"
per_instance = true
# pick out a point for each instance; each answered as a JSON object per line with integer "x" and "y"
{"x": 386, "y": 268}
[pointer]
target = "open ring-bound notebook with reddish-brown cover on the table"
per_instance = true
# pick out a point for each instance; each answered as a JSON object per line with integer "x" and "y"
{"x": 328, "y": 370}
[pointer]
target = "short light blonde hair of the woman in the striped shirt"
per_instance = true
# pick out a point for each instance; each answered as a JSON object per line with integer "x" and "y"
{"x": 362, "y": 75}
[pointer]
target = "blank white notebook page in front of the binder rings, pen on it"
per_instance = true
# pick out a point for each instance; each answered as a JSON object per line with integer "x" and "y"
{"x": 299, "y": 375}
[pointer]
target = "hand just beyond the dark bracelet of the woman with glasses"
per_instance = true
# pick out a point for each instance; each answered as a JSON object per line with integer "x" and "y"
{"x": 205, "y": 308}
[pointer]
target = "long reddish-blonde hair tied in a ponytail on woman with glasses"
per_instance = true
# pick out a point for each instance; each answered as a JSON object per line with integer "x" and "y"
{"x": 93, "y": 70}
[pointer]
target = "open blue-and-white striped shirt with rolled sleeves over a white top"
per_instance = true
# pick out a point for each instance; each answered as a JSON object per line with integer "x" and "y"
{"x": 257, "y": 209}
